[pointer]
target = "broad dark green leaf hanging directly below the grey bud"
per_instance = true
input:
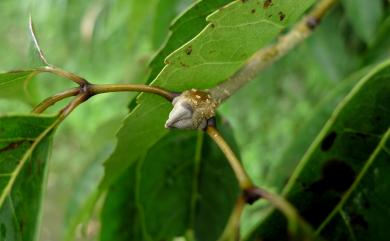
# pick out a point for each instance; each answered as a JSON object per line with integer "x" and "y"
{"x": 171, "y": 192}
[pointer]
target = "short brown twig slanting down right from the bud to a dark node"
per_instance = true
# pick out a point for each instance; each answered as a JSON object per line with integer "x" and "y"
{"x": 241, "y": 175}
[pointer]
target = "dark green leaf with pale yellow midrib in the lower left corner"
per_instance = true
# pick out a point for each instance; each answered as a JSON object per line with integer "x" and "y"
{"x": 25, "y": 143}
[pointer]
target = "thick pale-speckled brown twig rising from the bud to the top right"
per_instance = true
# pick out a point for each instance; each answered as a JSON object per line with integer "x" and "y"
{"x": 265, "y": 57}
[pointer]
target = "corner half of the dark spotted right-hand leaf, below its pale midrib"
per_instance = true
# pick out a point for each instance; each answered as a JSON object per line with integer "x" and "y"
{"x": 363, "y": 212}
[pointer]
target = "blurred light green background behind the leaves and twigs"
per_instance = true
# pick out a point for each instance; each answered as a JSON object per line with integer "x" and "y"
{"x": 112, "y": 41}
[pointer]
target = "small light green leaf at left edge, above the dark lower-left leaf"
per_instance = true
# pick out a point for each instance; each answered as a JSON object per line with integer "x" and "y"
{"x": 15, "y": 85}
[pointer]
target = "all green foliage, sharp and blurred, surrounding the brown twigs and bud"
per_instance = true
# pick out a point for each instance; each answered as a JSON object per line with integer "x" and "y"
{"x": 314, "y": 127}
